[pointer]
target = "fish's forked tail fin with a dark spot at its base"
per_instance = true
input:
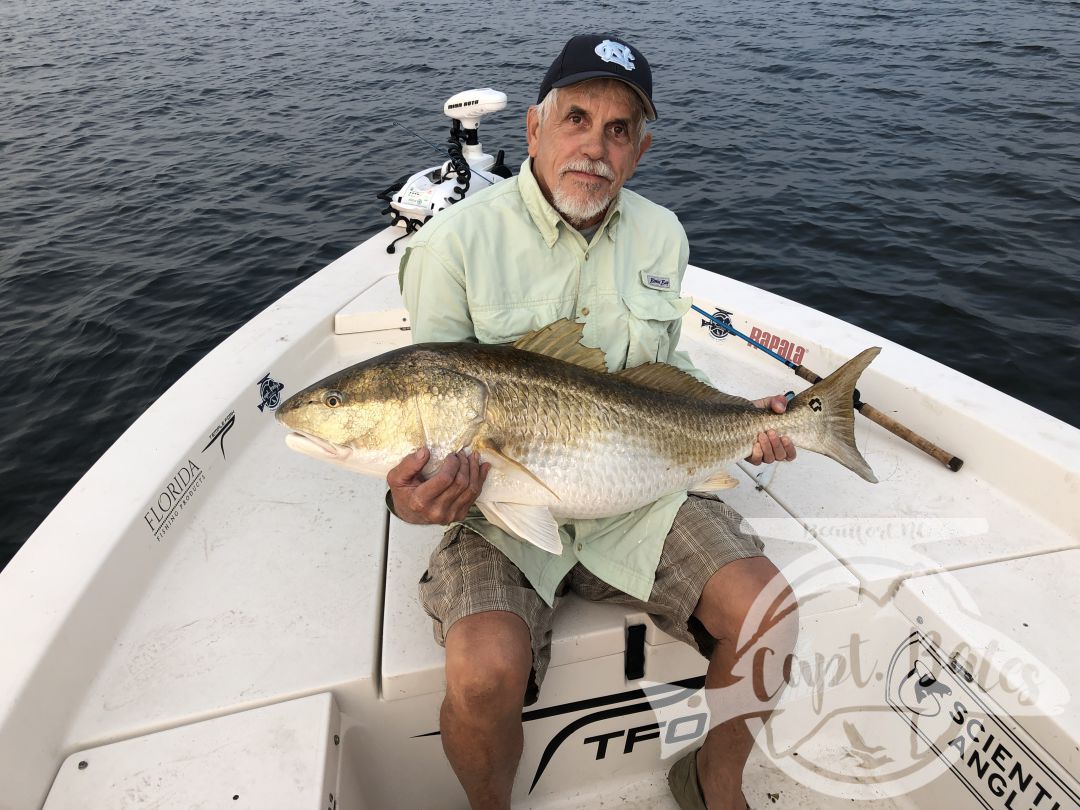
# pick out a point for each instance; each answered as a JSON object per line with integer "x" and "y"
{"x": 832, "y": 400}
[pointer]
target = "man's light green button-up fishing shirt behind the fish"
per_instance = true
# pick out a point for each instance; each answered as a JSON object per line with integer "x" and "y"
{"x": 504, "y": 263}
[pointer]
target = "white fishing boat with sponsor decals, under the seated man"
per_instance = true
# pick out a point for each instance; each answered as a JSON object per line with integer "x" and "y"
{"x": 211, "y": 620}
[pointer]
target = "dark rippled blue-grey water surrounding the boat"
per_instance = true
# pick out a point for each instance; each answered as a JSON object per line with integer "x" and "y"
{"x": 168, "y": 170}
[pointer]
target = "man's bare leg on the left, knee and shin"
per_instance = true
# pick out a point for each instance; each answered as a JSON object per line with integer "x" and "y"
{"x": 489, "y": 661}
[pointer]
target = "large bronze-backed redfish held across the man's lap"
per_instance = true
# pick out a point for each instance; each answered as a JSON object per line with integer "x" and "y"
{"x": 565, "y": 438}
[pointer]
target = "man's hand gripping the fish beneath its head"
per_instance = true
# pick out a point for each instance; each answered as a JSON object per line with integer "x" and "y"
{"x": 443, "y": 498}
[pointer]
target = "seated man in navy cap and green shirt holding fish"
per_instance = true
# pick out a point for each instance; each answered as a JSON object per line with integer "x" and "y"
{"x": 565, "y": 240}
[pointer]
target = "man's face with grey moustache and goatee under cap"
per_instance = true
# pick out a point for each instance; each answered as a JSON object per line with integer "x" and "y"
{"x": 585, "y": 152}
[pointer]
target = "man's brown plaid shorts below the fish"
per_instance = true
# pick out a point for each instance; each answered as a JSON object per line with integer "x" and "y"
{"x": 467, "y": 575}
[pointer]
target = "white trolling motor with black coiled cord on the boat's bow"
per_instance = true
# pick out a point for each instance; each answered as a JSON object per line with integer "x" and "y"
{"x": 424, "y": 195}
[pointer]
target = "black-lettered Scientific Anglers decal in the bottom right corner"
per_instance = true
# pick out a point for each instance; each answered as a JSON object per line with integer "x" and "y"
{"x": 995, "y": 759}
